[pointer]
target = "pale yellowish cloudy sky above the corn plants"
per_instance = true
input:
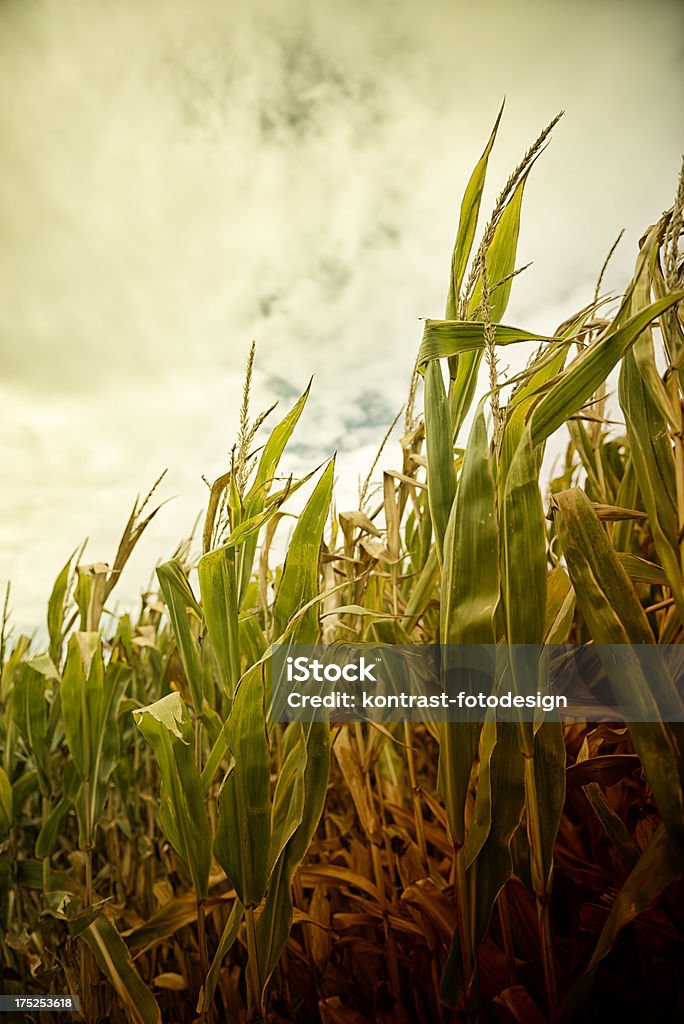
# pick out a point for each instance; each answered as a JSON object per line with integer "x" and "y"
{"x": 181, "y": 178}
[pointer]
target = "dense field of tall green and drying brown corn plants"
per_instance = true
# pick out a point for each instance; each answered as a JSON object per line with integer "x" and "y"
{"x": 168, "y": 854}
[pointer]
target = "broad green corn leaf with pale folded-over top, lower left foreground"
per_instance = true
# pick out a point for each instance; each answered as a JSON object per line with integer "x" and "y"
{"x": 166, "y": 727}
